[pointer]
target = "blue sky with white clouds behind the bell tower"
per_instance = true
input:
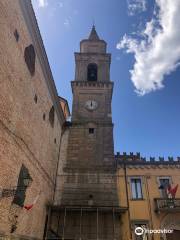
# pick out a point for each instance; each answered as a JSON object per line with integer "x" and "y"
{"x": 143, "y": 37}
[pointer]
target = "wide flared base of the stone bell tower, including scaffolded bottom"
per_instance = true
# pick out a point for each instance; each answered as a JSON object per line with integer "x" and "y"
{"x": 86, "y": 207}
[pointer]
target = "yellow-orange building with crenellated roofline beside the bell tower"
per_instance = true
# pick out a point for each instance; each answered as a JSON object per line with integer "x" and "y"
{"x": 142, "y": 188}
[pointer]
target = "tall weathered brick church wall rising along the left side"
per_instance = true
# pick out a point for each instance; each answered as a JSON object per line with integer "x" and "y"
{"x": 26, "y": 134}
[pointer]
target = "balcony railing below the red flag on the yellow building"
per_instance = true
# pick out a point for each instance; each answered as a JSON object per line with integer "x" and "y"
{"x": 167, "y": 204}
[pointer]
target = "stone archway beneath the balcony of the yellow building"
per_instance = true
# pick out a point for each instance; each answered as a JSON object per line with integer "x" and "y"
{"x": 171, "y": 221}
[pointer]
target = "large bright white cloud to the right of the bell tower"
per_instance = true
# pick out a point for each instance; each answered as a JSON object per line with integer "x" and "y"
{"x": 157, "y": 52}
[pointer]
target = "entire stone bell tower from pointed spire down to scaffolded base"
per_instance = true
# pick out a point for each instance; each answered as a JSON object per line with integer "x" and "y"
{"x": 88, "y": 208}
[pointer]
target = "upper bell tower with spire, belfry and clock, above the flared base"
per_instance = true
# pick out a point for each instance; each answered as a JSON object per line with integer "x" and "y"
{"x": 92, "y": 90}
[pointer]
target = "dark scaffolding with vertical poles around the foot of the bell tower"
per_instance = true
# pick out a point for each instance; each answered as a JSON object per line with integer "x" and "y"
{"x": 61, "y": 228}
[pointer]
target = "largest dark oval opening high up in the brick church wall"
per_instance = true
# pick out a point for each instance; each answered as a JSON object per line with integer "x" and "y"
{"x": 29, "y": 57}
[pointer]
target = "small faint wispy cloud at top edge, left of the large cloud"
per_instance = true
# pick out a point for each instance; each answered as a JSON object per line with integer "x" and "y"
{"x": 136, "y": 6}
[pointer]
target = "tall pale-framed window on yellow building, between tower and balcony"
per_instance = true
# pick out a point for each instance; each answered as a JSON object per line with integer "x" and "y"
{"x": 136, "y": 188}
